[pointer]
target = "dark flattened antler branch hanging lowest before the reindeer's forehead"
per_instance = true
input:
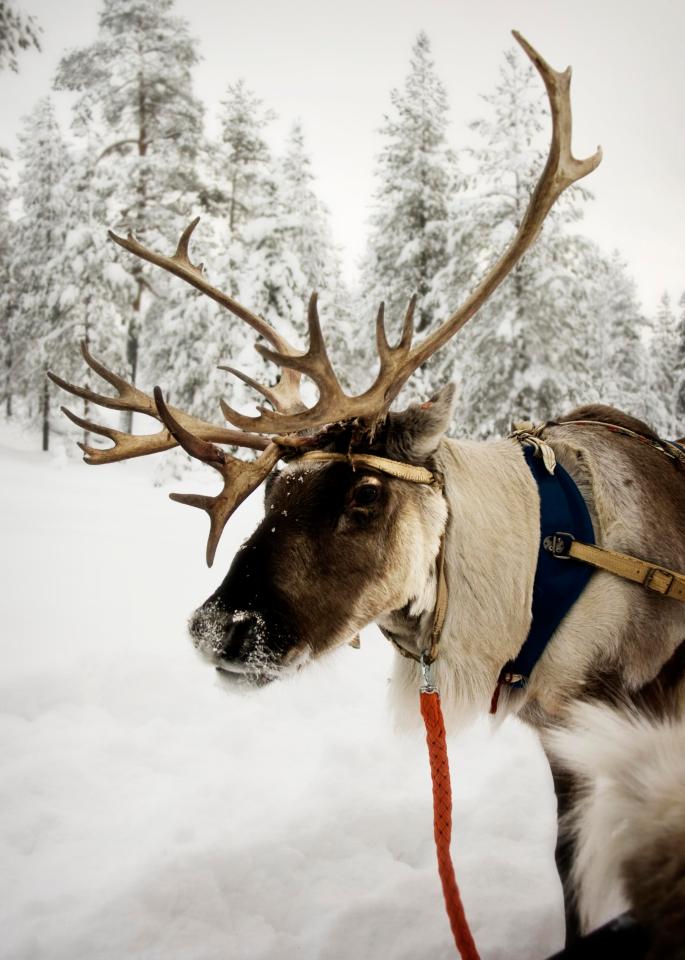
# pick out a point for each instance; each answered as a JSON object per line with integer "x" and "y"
{"x": 240, "y": 477}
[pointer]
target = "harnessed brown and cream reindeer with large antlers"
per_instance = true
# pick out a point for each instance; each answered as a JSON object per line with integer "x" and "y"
{"x": 377, "y": 516}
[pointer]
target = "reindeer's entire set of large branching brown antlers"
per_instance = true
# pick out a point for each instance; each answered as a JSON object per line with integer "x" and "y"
{"x": 289, "y": 414}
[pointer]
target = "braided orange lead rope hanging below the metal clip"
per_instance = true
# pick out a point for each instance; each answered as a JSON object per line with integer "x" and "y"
{"x": 442, "y": 821}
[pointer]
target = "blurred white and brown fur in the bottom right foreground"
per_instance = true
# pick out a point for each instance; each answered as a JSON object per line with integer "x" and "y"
{"x": 629, "y": 821}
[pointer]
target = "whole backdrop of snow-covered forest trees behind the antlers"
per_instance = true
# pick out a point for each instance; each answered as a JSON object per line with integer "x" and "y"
{"x": 566, "y": 327}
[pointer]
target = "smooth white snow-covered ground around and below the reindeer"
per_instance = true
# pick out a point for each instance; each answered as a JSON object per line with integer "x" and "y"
{"x": 145, "y": 812}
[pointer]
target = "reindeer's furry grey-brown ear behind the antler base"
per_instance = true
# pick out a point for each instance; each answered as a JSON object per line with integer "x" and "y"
{"x": 414, "y": 433}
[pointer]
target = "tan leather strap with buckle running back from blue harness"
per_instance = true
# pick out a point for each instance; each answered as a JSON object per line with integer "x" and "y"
{"x": 667, "y": 583}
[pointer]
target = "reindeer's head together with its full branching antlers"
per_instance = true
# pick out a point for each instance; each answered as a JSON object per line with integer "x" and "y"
{"x": 354, "y": 520}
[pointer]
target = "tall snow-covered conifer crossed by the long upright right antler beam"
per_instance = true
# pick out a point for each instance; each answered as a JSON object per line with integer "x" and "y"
{"x": 527, "y": 353}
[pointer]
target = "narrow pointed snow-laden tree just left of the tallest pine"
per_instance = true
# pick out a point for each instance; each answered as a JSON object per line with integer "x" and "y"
{"x": 41, "y": 328}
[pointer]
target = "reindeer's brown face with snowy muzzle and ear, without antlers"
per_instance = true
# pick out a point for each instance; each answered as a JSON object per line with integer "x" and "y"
{"x": 342, "y": 543}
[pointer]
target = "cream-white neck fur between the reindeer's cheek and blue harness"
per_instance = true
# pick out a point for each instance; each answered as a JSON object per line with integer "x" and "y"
{"x": 491, "y": 554}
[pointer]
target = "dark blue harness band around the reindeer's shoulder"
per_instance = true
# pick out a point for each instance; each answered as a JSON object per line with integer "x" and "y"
{"x": 559, "y": 581}
